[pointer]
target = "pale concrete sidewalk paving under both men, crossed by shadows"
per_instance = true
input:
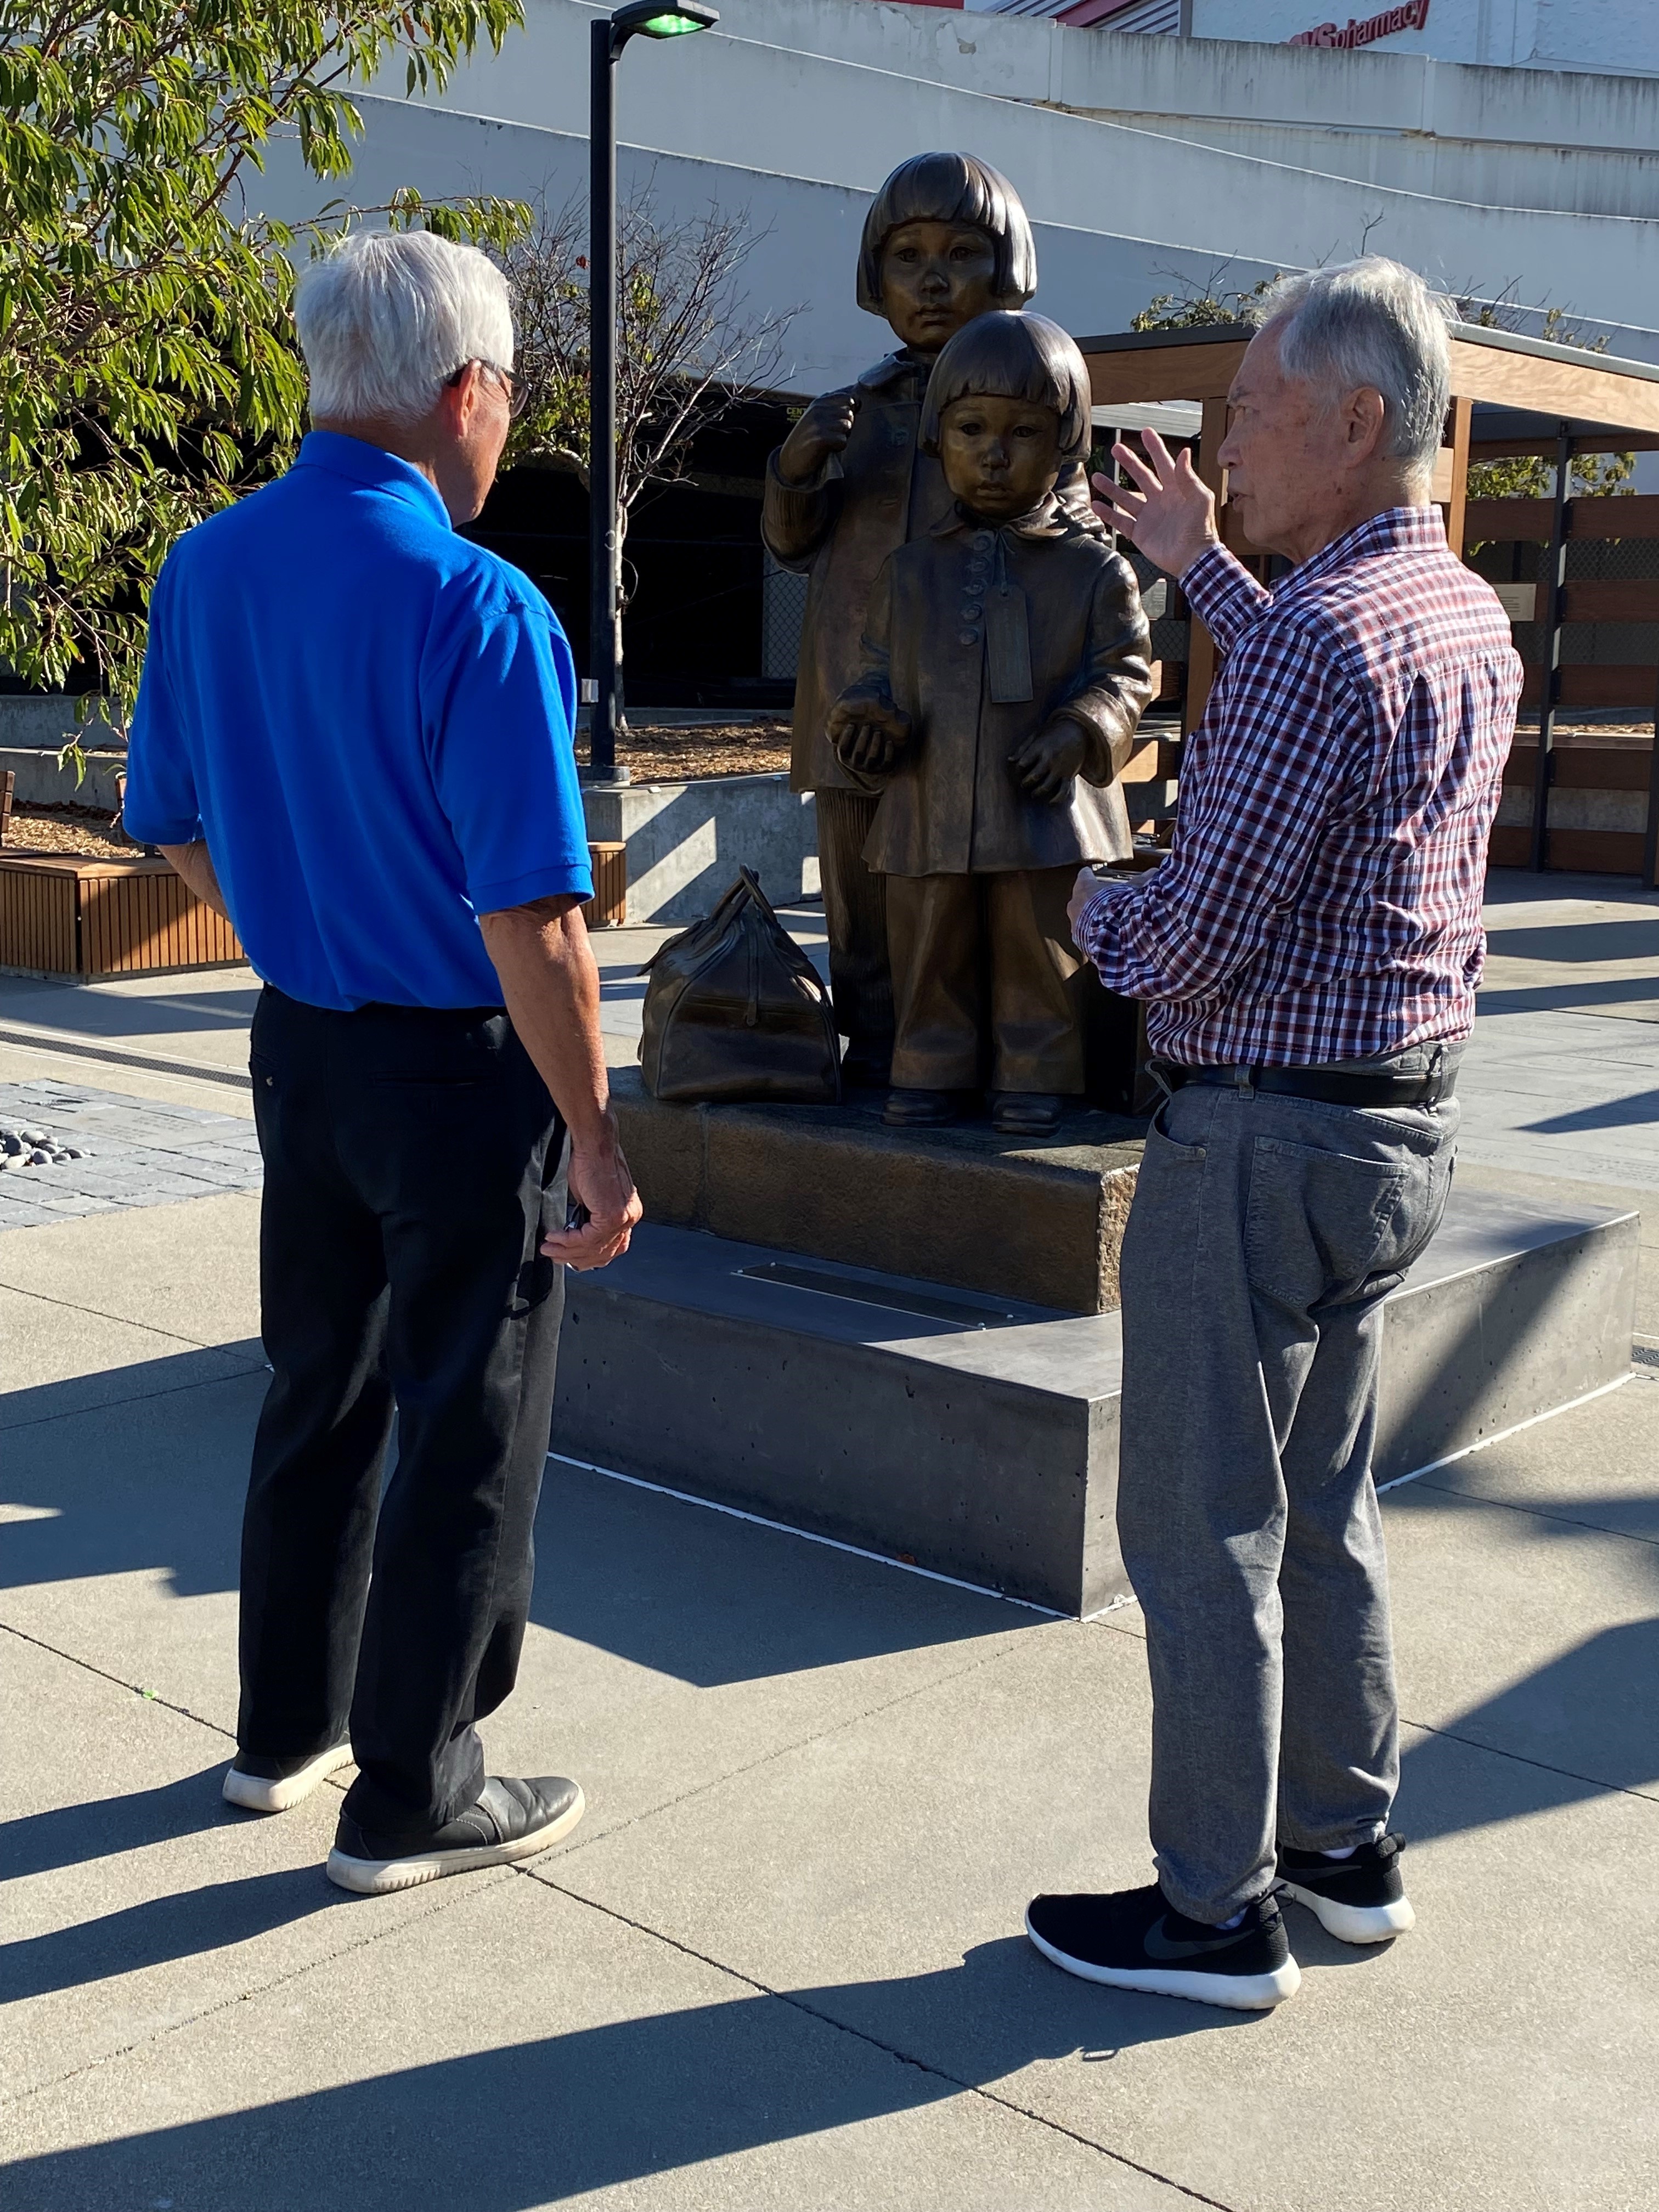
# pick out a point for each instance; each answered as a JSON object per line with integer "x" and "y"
{"x": 782, "y": 1959}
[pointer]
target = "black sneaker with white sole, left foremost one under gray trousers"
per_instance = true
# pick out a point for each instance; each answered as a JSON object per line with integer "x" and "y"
{"x": 1138, "y": 1941}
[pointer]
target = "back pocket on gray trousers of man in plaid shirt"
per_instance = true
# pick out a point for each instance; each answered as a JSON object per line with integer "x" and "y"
{"x": 1322, "y": 1224}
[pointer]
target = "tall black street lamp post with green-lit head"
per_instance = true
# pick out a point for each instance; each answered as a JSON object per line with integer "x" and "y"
{"x": 649, "y": 19}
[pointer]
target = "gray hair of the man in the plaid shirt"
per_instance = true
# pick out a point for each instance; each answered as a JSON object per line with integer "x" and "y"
{"x": 1375, "y": 326}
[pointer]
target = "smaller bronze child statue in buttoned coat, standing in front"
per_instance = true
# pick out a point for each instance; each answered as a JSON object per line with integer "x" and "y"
{"x": 1005, "y": 671}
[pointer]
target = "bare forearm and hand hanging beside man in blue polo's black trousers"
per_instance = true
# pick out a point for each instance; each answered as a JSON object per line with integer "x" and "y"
{"x": 552, "y": 992}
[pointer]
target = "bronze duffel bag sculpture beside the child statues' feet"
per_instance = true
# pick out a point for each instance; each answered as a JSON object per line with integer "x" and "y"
{"x": 738, "y": 1012}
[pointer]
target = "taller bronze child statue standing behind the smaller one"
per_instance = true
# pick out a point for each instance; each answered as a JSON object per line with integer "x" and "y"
{"x": 946, "y": 240}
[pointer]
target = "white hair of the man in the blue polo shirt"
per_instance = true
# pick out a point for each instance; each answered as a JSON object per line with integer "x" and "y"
{"x": 390, "y": 315}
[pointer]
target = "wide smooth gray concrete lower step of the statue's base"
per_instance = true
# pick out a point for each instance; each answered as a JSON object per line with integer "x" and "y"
{"x": 977, "y": 1434}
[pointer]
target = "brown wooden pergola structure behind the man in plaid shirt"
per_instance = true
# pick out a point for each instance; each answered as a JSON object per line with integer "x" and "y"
{"x": 1510, "y": 397}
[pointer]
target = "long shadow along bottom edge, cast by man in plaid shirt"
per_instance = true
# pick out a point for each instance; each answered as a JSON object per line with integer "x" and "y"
{"x": 536, "y": 2122}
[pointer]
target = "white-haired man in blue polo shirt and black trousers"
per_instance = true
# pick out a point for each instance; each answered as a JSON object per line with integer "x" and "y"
{"x": 355, "y": 740}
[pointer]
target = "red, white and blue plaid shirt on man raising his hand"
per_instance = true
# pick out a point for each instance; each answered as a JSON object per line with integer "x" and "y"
{"x": 1322, "y": 899}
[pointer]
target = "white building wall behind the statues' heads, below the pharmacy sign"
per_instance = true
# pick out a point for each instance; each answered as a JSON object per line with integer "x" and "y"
{"x": 797, "y": 109}
